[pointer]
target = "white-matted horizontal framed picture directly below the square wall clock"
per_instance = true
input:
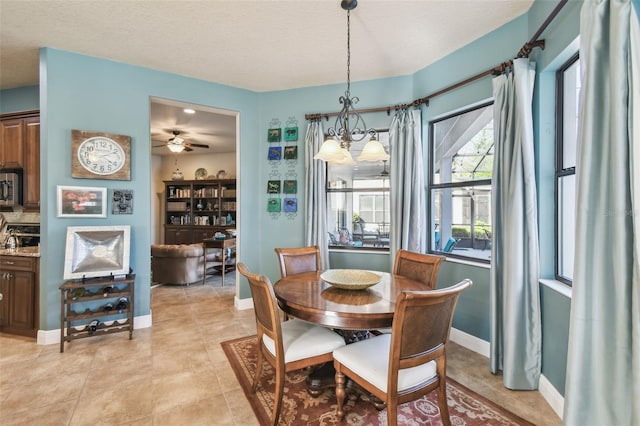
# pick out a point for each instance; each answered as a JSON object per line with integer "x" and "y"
{"x": 81, "y": 201}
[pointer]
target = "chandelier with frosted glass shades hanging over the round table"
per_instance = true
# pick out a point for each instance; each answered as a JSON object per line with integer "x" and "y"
{"x": 349, "y": 126}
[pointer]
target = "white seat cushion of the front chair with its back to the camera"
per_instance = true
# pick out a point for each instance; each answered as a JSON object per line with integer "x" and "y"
{"x": 370, "y": 360}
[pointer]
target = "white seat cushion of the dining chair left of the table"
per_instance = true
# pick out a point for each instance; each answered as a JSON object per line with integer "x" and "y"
{"x": 301, "y": 339}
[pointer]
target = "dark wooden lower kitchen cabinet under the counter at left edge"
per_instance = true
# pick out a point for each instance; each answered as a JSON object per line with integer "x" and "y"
{"x": 19, "y": 289}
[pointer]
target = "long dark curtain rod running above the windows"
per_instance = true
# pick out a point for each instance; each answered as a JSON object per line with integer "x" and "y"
{"x": 499, "y": 69}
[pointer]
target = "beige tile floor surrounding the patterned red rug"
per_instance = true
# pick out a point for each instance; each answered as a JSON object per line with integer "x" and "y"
{"x": 174, "y": 373}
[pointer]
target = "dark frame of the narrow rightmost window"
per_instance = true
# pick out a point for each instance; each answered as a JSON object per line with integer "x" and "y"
{"x": 560, "y": 170}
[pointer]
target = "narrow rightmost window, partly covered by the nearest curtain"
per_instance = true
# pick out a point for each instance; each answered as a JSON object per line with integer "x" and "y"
{"x": 568, "y": 89}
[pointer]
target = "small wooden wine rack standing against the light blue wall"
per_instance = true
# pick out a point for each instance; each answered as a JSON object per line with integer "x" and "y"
{"x": 95, "y": 307}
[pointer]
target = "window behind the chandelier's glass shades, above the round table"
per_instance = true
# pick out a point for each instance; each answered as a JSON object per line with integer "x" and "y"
{"x": 358, "y": 201}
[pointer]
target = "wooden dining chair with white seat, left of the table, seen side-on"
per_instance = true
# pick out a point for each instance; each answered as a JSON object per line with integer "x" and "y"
{"x": 287, "y": 346}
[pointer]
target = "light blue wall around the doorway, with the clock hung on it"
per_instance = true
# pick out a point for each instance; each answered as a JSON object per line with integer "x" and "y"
{"x": 82, "y": 92}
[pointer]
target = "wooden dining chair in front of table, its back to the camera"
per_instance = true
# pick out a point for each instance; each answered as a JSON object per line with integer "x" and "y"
{"x": 411, "y": 361}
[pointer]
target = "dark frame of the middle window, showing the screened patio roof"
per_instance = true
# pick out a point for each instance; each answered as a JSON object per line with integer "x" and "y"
{"x": 431, "y": 186}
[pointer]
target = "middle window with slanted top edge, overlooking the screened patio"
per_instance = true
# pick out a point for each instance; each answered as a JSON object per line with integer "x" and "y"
{"x": 460, "y": 183}
